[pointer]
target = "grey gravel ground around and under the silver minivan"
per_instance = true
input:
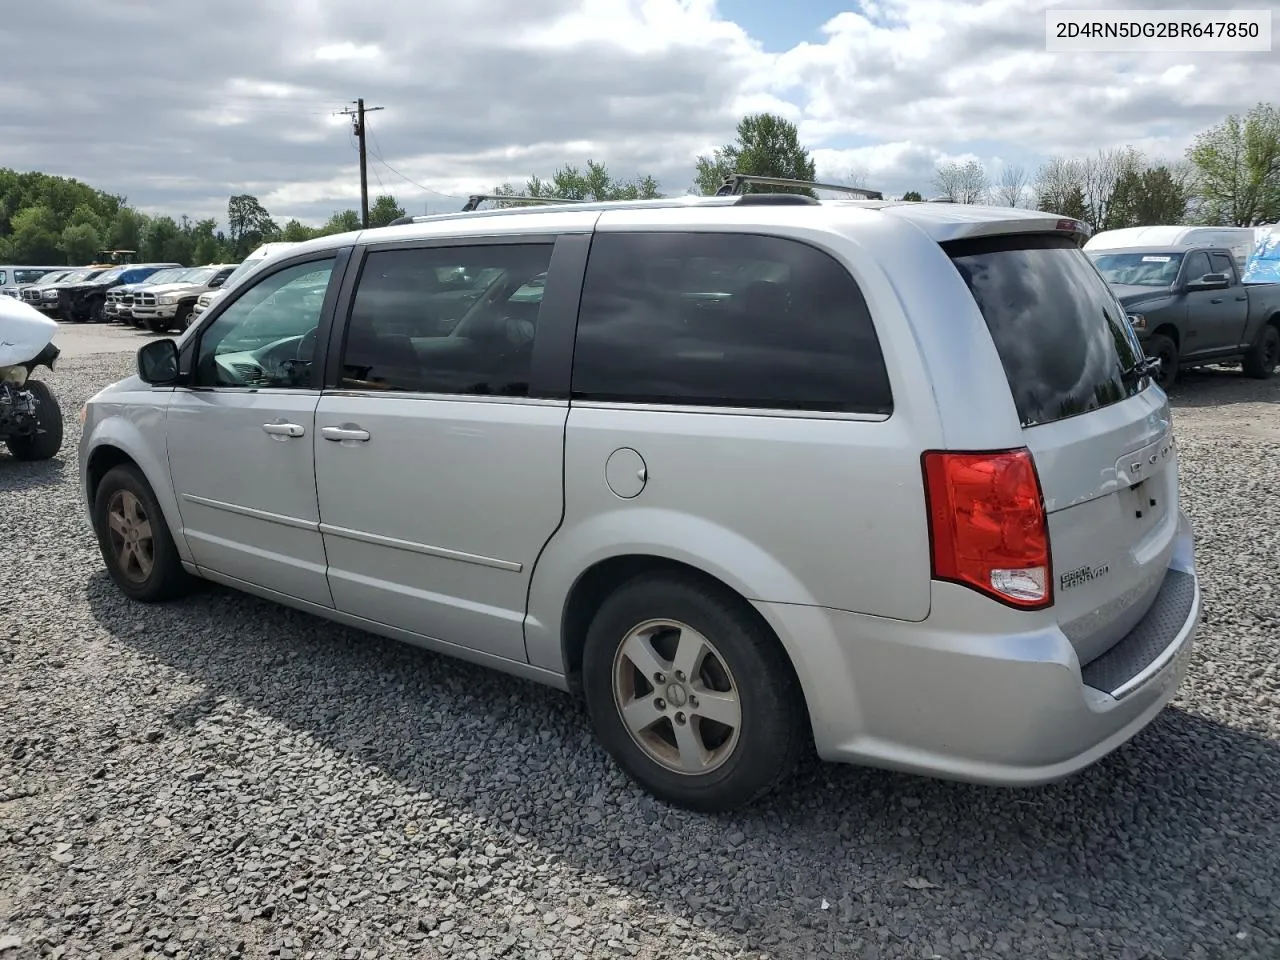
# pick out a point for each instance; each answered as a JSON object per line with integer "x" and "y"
{"x": 222, "y": 778}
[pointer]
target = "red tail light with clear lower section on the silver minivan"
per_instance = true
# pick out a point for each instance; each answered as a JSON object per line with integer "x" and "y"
{"x": 988, "y": 525}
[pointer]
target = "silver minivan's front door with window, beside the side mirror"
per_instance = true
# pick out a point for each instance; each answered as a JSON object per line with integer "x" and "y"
{"x": 240, "y": 438}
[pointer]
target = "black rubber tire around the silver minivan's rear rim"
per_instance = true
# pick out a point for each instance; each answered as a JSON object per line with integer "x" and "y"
{"x": 774, "y": 726}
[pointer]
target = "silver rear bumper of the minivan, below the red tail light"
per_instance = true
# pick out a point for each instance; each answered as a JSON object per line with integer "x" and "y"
{"x": 967, "y": 696}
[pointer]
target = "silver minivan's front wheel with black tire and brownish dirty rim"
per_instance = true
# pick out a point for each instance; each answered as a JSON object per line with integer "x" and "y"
{"x": 164, "y": 579}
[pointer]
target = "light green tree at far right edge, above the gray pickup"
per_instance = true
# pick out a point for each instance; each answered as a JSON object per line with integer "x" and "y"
{"x": 1238, "y": 168}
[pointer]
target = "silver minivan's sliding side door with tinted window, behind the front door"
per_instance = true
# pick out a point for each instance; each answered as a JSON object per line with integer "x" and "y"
{"x": 440, "y": 478}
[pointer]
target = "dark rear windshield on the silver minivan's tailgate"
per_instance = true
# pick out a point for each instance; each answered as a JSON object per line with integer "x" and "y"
{"x": 1064, "y": 341}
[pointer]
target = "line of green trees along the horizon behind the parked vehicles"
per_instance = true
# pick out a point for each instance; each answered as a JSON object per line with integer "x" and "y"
{"x": 1231, "y": 176}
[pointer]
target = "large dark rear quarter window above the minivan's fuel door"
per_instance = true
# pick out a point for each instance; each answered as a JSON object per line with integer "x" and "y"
{"x": 725, "y": 319}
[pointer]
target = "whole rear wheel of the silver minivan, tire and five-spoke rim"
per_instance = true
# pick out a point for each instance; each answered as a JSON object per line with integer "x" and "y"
{"x": 692, "y": 694}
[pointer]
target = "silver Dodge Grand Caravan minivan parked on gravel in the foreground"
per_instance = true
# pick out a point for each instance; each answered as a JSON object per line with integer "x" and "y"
{"x": 752, "y": 476}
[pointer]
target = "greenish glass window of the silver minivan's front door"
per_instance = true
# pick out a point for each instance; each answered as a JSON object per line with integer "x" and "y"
{"x": 267, "y": 339}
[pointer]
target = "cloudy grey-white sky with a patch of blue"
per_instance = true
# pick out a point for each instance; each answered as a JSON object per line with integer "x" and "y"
{"x": 181, "y": 104}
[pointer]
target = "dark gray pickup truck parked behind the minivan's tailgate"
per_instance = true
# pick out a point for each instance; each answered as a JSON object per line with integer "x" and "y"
{"x": 1190, "y": 308}
